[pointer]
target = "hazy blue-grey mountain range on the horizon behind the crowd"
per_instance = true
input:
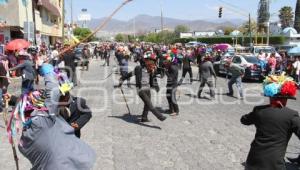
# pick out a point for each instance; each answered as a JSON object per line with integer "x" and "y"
{"x": 146, "y": 23}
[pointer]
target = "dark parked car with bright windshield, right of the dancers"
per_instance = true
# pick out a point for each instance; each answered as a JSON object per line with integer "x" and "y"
{"x": 248, "y": 61}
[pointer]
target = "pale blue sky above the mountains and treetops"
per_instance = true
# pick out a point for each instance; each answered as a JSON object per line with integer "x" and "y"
{"x": 180, "y": 9}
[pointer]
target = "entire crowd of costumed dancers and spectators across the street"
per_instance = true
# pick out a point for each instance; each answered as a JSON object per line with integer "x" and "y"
{"x": 55, "y": 106}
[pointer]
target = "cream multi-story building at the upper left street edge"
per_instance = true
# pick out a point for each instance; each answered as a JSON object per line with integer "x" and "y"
{"x": 19, "y": 16}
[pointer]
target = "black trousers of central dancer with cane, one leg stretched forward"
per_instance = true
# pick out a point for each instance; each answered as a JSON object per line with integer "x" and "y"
{"x": 145, "y": 95}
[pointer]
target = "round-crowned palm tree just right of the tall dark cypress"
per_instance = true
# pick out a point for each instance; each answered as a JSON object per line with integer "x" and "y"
{"x": 286, "y": 16}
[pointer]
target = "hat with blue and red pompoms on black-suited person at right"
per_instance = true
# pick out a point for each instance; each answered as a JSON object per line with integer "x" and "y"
{"x": 280, "y": 87}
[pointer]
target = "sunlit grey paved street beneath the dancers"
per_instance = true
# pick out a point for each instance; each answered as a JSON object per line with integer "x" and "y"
{"x": 206, "y": 135}
